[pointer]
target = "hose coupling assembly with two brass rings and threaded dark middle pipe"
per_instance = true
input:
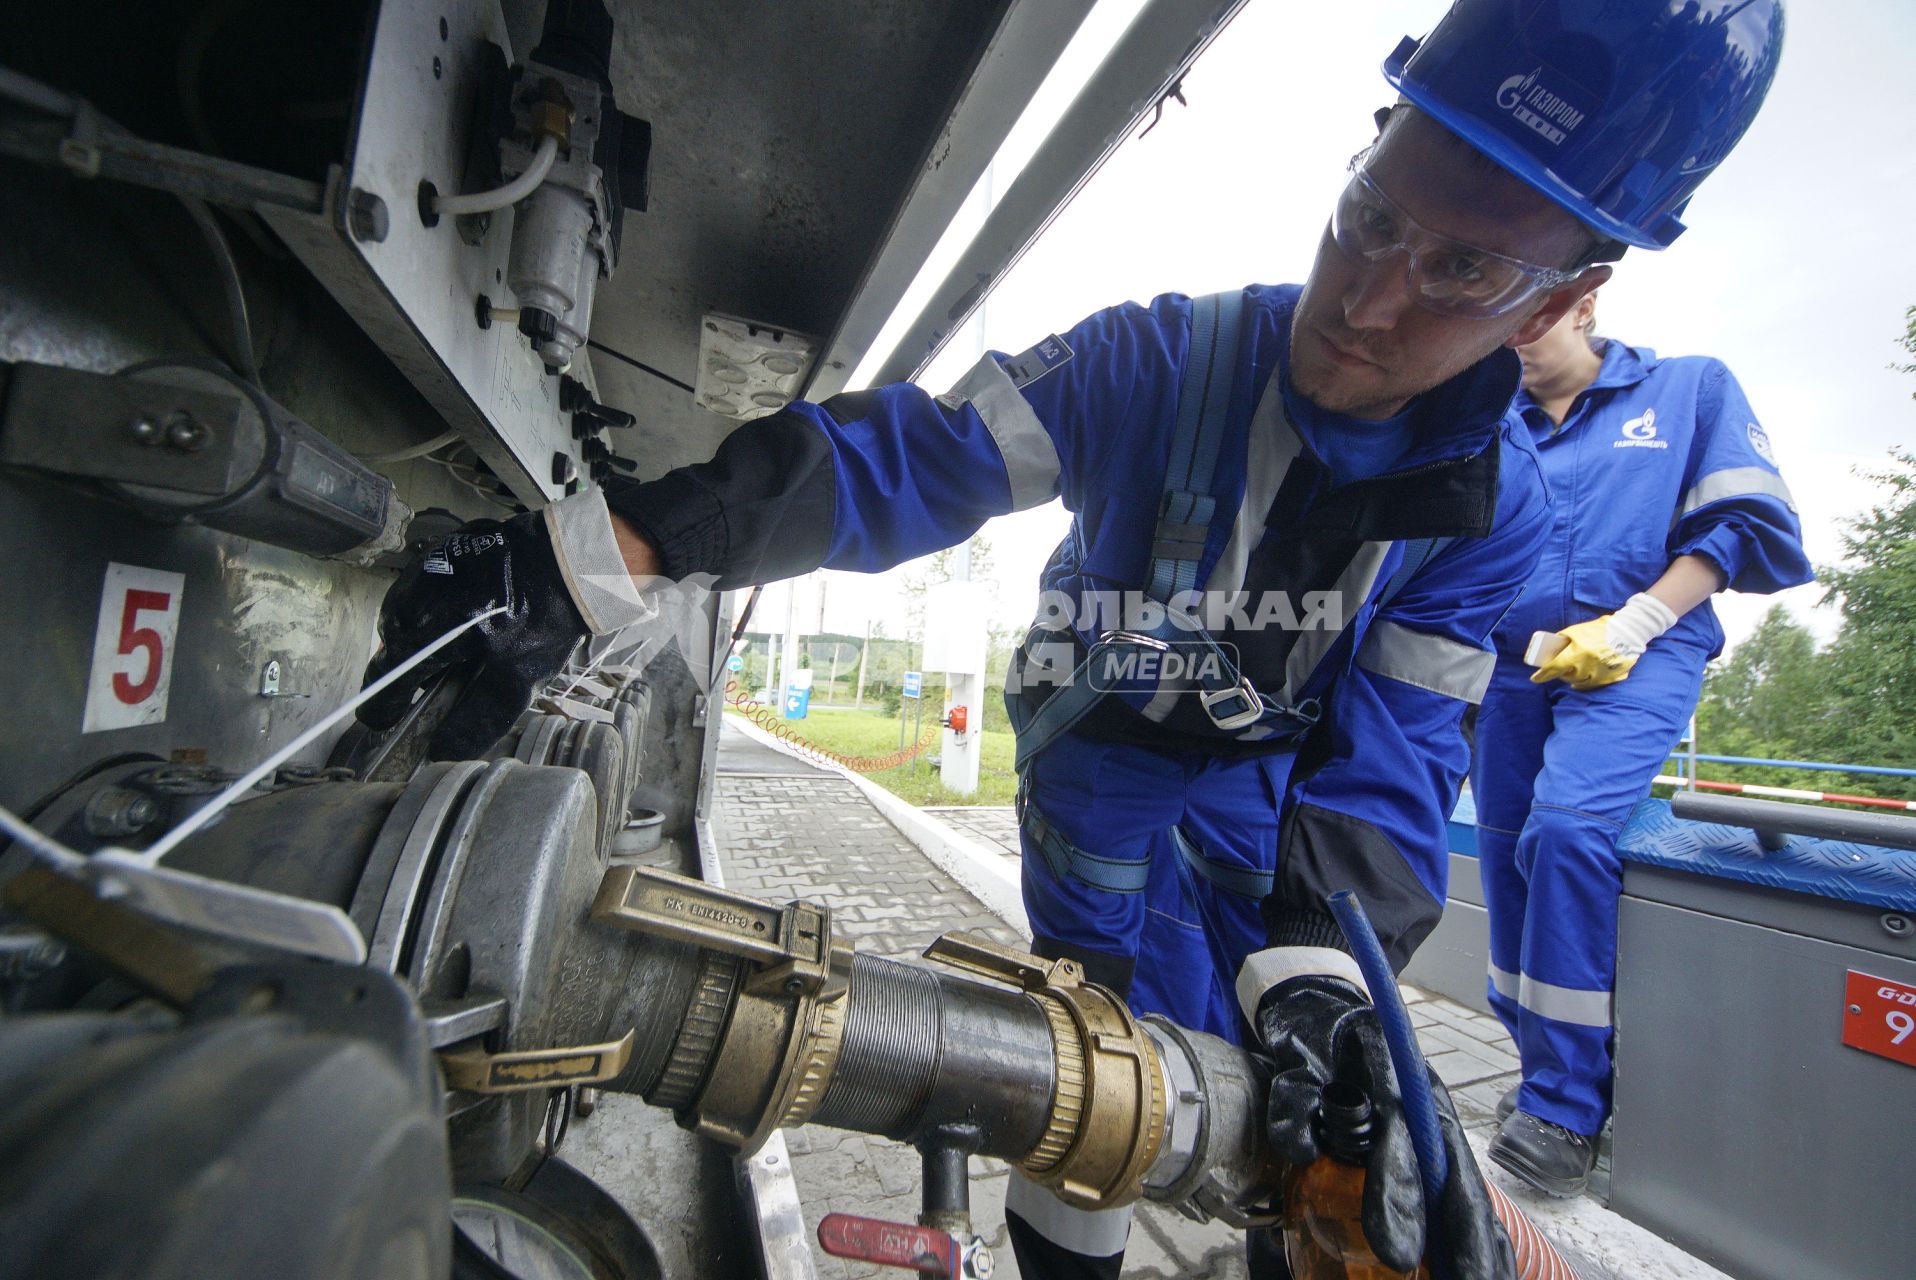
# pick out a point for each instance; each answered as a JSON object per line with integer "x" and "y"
{"x": 773, "y": 1024}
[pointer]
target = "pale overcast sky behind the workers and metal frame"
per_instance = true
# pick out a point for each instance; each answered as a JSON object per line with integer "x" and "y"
{"x": 1796, "y": 271}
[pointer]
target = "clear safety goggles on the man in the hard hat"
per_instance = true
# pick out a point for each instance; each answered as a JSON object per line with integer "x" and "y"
{"x": 1449, "y": 277}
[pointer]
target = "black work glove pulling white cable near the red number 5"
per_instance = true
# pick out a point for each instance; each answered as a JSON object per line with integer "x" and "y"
{"x": 480, "y": 568}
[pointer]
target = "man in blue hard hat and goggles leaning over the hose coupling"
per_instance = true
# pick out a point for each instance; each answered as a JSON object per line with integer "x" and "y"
{"x": 1312, "y": 497}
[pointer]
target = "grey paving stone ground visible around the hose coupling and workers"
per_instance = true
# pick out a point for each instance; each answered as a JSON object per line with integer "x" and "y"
{"x": 813, "y": 834}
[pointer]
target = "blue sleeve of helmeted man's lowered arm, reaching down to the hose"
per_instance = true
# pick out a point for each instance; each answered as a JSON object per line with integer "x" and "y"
{"x": 1371, "y": 815}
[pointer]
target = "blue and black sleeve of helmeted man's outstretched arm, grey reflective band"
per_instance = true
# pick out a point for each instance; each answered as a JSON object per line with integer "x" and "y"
{"x": 871, "y": 480}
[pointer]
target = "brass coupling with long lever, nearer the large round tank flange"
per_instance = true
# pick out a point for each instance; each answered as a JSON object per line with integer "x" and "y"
{"x": 765, "y": 1028}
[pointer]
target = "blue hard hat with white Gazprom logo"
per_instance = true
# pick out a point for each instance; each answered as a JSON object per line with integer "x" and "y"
{"x": 1618, "y": 110}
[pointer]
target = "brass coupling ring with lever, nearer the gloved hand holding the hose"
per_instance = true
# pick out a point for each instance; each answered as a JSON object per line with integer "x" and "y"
{"x": 1108, "y": 1107}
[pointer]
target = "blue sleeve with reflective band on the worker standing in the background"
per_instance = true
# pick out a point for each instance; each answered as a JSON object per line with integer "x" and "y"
{"x": 1737, "y": 509}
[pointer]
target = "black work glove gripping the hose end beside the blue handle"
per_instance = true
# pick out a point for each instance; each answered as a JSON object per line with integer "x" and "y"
{"x": 1321, "y": 1030}
